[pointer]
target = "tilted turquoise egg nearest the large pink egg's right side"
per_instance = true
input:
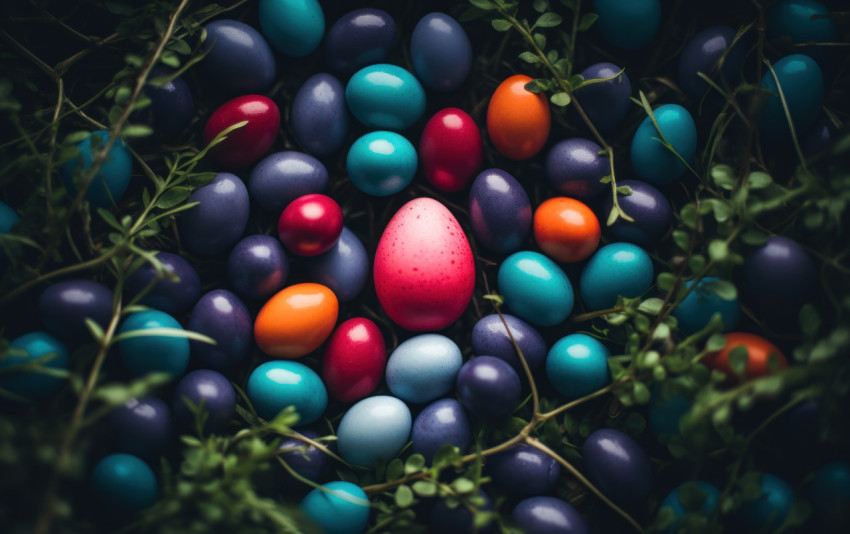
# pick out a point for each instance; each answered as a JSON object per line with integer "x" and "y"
{"x": 535, "y": 288}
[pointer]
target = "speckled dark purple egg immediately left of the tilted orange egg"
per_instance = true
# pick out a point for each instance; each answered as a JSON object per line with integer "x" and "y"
{"x": 222, "y": 316}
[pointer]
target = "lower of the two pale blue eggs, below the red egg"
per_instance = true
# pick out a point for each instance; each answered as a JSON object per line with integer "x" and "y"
{"x": 375, "y": 427}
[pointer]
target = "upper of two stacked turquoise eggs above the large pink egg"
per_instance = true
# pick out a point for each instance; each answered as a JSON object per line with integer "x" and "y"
{"x": 385, "y": 97}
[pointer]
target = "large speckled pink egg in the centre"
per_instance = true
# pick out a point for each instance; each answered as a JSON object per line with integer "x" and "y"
{"x": 424, "y": 270}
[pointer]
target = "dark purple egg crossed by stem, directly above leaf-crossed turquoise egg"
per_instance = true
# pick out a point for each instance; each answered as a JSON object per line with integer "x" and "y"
{"x": 172, "y": 297}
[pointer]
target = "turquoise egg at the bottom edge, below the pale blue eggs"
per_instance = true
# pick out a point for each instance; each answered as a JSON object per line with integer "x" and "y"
{"x": 343, "y": 508}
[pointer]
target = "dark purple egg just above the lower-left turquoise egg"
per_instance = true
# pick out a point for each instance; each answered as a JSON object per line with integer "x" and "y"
{"x": 141, "y": 426}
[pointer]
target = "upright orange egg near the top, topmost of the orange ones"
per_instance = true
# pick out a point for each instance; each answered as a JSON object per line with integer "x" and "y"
{"x": 518, "y": 120}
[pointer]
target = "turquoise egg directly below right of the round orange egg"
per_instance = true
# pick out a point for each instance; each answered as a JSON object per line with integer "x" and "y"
{"x": 615, "y": 269}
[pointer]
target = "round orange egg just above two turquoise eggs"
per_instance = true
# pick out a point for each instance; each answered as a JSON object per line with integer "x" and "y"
{"x": 566, "y": 230}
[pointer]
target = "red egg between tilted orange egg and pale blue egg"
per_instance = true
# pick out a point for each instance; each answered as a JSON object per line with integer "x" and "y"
{"x": 354, "y": 360}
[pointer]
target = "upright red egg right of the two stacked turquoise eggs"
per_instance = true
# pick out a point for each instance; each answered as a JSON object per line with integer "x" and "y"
{"x": 450, "y": 150}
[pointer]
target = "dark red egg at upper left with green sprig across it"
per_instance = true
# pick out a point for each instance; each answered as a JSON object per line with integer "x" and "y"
{"x": 247, "y": 144}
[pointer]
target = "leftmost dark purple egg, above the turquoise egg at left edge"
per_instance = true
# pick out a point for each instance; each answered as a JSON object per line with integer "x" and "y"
{"x": 66, "y": 305}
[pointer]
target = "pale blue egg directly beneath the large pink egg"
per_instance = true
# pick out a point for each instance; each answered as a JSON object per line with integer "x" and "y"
{"x": 423, "y": 368}
